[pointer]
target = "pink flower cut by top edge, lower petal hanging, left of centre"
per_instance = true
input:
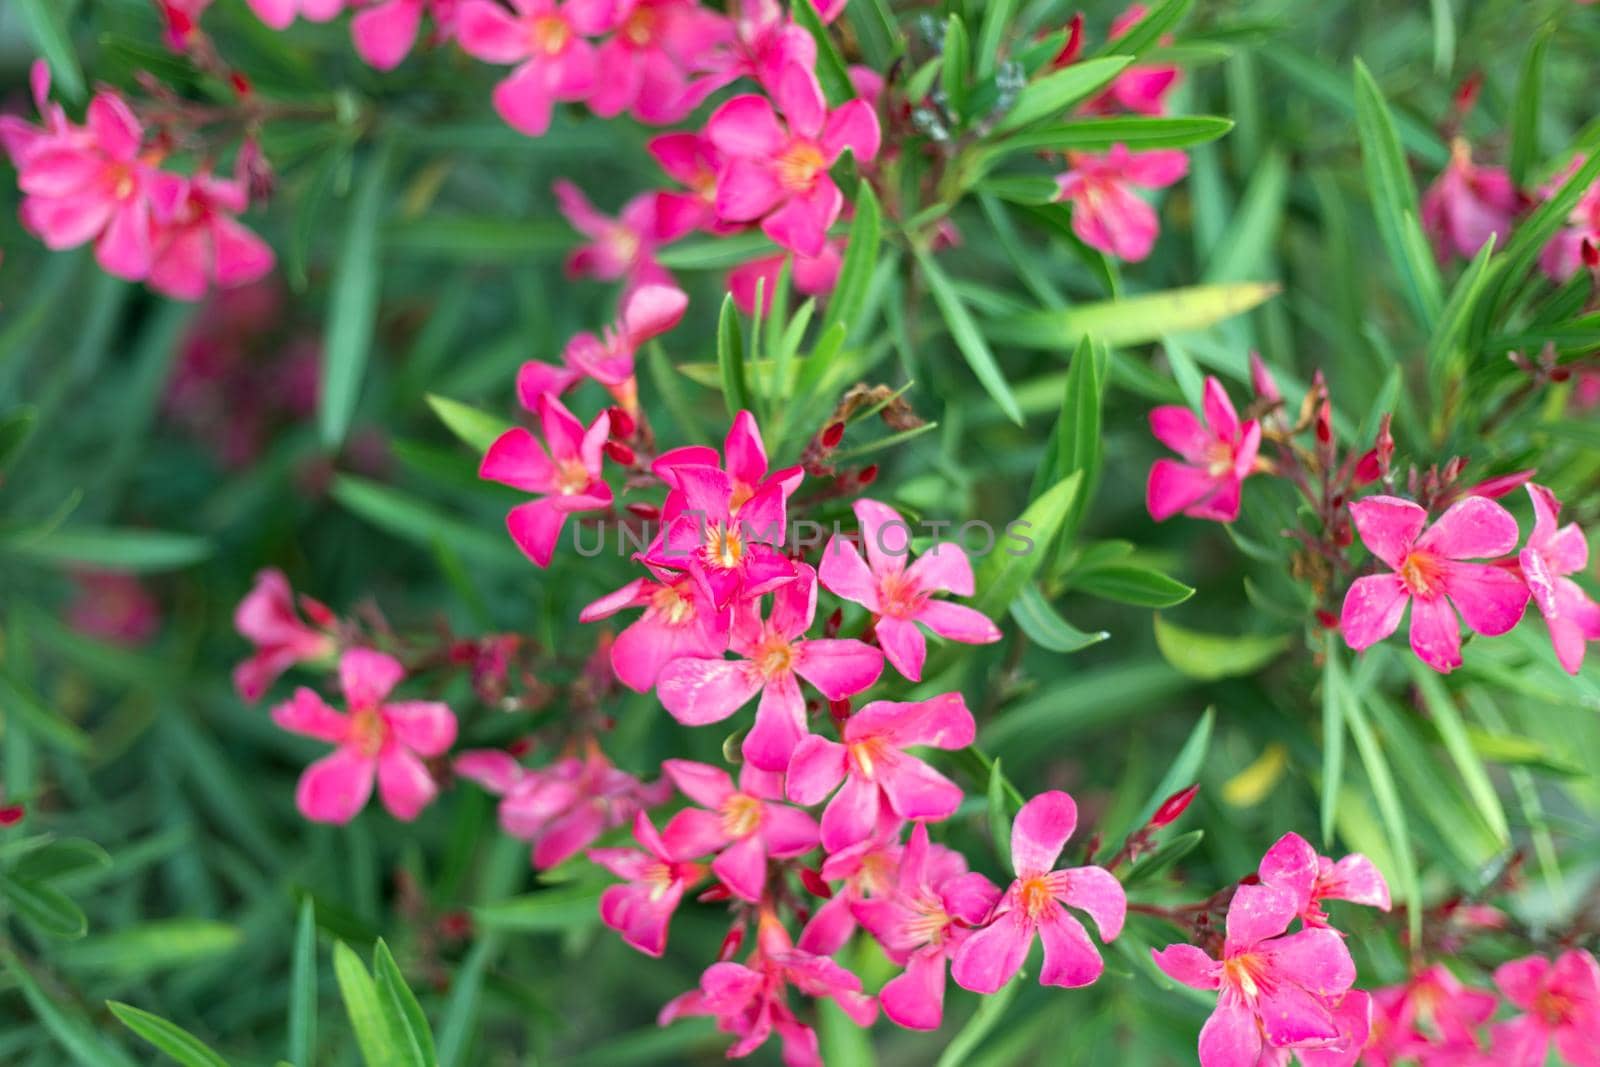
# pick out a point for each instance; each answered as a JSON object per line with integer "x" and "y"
{"x": 546, "y": 42}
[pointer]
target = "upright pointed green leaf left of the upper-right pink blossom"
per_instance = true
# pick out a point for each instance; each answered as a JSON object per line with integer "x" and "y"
{"x": 1394, "y": 199}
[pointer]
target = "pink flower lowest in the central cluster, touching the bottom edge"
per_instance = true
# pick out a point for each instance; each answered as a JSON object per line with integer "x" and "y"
{"x": 751, "y": 1001}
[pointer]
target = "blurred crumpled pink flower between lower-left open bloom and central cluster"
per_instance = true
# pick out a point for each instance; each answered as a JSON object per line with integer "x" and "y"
{"x": 564, "y": 807}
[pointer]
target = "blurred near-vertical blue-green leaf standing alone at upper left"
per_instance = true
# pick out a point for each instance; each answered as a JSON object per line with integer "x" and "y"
{"x": 353, "y": 303}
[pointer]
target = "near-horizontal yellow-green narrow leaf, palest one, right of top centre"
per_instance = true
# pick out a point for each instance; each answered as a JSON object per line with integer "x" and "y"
{"x": 1134, "y": 321}
